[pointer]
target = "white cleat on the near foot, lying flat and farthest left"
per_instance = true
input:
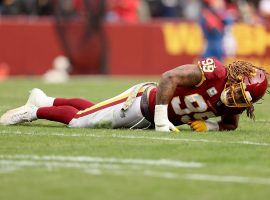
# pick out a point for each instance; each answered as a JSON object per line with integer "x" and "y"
{"x": 22, "y": 114}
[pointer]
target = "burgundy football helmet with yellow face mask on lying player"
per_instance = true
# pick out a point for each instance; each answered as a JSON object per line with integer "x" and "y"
{"x": 246, "y": 92}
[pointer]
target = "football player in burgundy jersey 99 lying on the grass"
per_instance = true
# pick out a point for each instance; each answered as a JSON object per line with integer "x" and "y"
{"x": 188, "y": 94}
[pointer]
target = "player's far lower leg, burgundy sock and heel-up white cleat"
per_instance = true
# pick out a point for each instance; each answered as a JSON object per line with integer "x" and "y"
{"x": 40, "y": 99}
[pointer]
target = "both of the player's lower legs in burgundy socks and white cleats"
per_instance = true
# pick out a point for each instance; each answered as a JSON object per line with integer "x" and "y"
{"x": 38, "y": 99}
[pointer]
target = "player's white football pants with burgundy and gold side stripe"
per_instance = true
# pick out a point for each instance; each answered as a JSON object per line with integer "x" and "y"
{"x": 111, "y": 113}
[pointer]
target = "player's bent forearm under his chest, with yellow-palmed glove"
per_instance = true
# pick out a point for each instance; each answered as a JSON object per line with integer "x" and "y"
{"x": 227, "y": 123}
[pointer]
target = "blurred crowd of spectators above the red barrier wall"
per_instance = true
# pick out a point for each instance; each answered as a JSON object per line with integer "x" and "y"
{"x": 251, "y": 11}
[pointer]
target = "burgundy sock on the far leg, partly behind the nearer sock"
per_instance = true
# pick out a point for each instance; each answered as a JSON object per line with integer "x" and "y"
{"x": 78, "y": 103}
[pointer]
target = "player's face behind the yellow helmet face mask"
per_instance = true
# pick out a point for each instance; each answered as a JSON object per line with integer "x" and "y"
{"x": 234, "y": 95}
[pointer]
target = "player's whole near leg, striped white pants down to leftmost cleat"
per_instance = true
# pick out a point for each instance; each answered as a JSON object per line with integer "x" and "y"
{"x": 105, "y": 114}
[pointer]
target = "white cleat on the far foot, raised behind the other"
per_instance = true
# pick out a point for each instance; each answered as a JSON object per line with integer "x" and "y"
{"x": 39, "y": 99}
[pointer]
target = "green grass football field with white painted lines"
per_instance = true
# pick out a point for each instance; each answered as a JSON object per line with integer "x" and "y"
{"x": 46, "y": 160}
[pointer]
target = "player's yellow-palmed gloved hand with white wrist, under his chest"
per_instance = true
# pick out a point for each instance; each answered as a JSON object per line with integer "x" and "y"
{"x": 204, "y": 125}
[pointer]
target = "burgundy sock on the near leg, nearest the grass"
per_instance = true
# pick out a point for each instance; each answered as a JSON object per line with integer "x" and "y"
{"x": 63, "y": 114}
